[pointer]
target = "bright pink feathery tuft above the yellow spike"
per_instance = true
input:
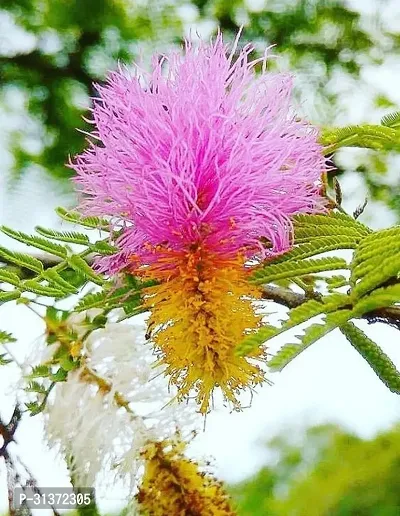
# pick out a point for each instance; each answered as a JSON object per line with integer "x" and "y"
{"x": 201, "y": 149}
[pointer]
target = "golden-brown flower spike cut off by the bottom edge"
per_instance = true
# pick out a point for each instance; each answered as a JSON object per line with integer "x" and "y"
{"x": 173, "y": 485}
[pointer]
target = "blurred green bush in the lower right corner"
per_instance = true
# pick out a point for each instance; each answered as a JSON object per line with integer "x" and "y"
{"x": 327, "y": 472}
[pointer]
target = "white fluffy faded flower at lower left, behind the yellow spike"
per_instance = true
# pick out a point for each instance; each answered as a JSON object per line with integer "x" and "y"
{"x": 86, "y": 416}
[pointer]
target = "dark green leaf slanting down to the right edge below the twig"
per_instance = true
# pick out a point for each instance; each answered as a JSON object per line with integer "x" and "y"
{"x": 376, "y": 358}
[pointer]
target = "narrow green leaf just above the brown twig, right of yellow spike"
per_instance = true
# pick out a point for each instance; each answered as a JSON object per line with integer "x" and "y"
{"x": 292, "y": 269}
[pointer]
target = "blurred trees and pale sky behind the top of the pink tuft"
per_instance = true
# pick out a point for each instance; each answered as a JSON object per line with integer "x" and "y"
{"x": 52, "y": 50}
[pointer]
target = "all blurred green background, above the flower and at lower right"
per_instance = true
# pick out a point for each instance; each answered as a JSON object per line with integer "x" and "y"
{"x": 346, "y": 59}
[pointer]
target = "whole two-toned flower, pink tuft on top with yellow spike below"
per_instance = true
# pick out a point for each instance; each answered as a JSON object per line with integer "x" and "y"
{"x": 202, "y": 163}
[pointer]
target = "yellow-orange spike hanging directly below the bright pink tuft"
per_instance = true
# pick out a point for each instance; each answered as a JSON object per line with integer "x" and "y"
{"x": 200, "y": 311}
